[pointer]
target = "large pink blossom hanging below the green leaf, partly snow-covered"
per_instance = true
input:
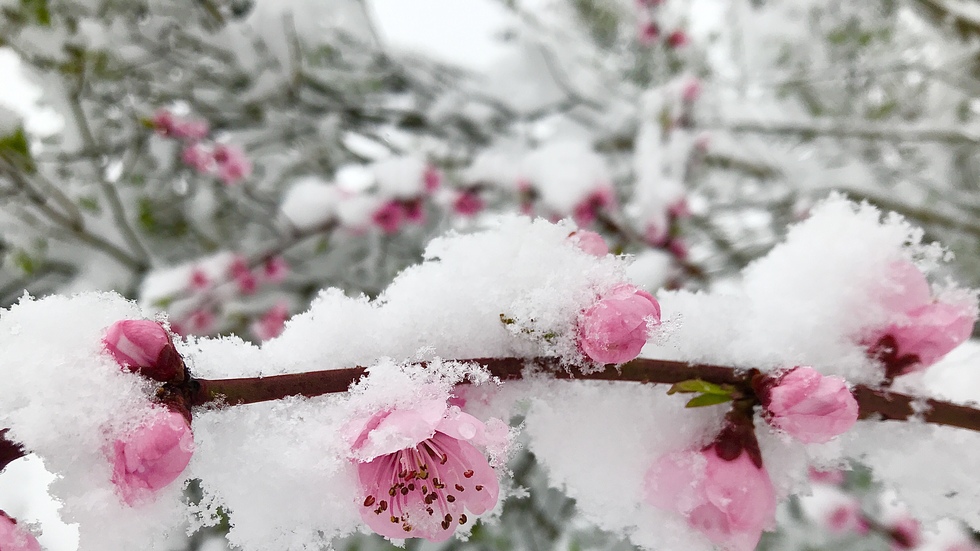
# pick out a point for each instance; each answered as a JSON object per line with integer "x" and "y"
{"x": 729, "y": 501}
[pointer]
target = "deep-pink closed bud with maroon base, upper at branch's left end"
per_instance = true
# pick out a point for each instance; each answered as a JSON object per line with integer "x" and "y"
{"x": 144, "y": 347}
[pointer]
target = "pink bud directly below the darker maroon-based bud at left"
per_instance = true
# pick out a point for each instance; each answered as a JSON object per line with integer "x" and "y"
{"x": 151, "y": 456}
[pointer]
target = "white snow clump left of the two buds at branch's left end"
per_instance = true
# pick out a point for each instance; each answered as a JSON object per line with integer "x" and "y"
{"x": 66, "y": 400}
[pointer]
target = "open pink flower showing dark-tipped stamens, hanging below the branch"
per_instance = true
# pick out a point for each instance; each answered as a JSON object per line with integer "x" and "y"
{"x": 420, "y": 471}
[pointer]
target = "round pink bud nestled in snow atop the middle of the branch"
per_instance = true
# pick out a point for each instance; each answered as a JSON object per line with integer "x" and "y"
{"x": 615, "y": 328}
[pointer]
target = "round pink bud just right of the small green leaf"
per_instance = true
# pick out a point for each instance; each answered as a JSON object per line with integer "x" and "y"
{"x": 811, "y": 407}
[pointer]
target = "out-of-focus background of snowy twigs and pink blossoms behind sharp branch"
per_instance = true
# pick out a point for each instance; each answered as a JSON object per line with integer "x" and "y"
{"x": 220, "y": 161}
